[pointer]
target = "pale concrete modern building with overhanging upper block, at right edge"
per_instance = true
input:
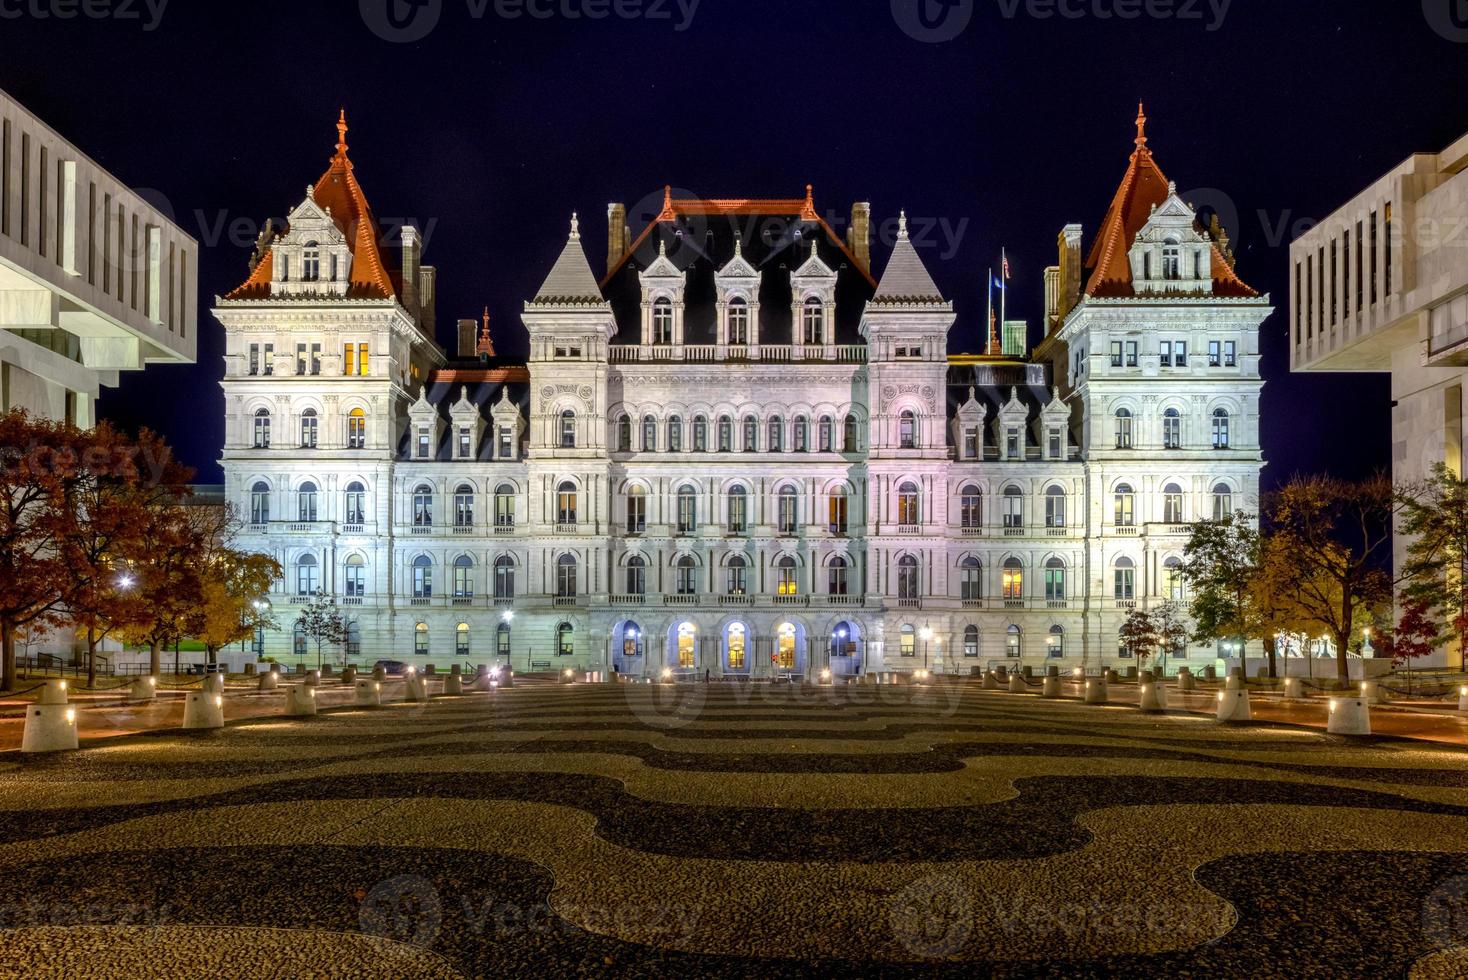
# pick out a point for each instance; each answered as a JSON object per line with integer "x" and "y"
{"x": 1382, "y": 285}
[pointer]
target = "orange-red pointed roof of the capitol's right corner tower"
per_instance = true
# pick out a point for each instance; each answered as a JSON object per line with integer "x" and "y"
{"x": 1143, "y": 190}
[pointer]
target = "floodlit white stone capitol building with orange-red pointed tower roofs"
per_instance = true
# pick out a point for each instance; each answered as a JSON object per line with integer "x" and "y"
{"x": 741, "y": 448}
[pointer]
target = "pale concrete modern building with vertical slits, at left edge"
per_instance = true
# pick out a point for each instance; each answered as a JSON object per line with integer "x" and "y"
{"x": 93, "y": 279}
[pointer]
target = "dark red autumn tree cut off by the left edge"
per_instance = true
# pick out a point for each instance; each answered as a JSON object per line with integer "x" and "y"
{"x": 39, "y": 467}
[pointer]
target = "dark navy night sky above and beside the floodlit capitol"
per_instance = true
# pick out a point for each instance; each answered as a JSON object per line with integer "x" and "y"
{"x": 490, "y": 131}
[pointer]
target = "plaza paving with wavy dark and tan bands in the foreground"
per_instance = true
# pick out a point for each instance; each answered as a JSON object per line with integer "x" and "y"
{"x": 722, "y": 831}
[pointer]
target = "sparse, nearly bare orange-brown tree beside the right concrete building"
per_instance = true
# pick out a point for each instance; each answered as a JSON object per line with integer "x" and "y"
{"x": 1340, "y": 535}
